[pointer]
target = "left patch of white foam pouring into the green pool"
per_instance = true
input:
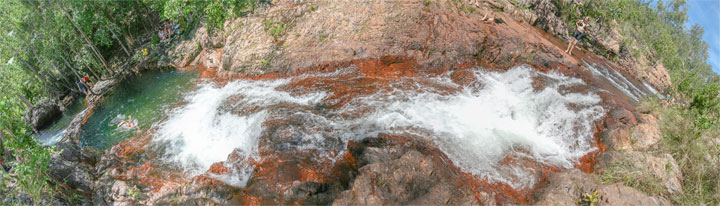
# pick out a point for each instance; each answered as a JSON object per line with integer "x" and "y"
{"x": 198, "y": 134}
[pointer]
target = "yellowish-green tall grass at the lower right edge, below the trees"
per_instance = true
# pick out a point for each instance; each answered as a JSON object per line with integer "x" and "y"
{"x": 696, "y": 150}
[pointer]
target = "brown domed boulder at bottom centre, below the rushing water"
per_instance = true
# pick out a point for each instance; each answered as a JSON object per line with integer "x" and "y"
{"x": 409, "y": 180}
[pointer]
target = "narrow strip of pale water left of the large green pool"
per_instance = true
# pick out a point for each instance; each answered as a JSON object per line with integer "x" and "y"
{"x": 54, "y": 133}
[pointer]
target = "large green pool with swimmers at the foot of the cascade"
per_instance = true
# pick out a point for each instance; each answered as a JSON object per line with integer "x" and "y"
{"x": 146, "y": 98}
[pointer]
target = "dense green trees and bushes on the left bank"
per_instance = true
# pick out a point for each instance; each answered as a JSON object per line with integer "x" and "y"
{"x": 47, "y": 46}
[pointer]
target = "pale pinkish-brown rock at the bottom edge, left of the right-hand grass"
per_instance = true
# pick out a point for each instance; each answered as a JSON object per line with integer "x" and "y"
{"x": 567, "y": 188}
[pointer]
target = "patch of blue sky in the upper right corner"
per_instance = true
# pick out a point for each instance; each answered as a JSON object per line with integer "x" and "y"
{"x": 707, "y": 14}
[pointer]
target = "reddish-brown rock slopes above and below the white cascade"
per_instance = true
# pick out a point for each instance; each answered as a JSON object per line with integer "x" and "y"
{"x": 379, "y": 43}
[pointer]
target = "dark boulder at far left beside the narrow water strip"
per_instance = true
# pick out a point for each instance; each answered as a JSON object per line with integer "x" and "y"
{"x": 42, "y": 114}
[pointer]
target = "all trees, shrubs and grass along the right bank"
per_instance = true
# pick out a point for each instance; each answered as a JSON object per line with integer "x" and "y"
{"x": 656, "y": 31}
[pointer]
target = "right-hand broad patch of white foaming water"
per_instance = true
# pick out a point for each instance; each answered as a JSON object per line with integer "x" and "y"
{"x": 478, "y": 128}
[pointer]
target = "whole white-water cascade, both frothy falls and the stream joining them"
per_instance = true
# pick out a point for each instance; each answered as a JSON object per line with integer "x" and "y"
{"x": 476, "y": 126}
